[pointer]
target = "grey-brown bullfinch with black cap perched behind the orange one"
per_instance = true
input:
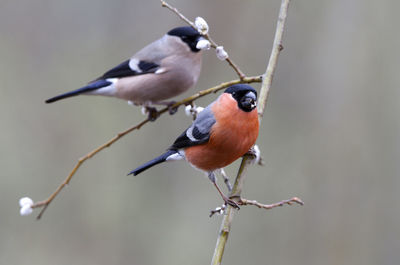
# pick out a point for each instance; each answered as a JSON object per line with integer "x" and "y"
{"x": 163, "y": 69}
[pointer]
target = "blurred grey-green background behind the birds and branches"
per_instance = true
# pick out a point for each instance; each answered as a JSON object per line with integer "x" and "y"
{"x": 330, "y": 135}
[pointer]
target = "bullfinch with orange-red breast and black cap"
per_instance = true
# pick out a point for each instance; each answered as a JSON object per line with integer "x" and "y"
{"x": 224, "y": 131}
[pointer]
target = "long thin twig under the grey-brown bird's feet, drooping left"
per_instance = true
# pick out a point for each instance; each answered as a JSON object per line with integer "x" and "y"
{"x": 45, "y": 203}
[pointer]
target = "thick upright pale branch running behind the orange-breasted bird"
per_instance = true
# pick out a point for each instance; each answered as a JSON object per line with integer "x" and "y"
{"x": 265, "y": 87}
